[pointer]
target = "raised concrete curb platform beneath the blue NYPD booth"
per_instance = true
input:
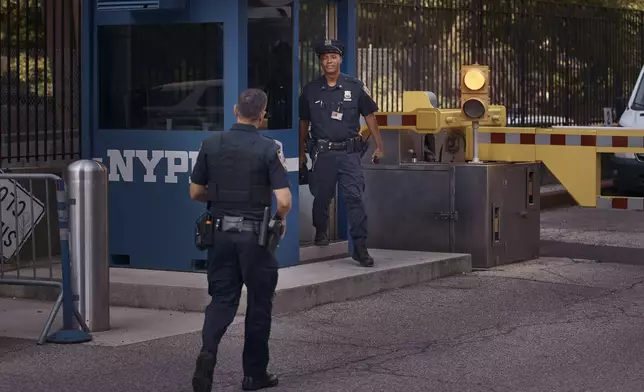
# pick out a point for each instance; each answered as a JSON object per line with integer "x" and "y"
{"x": 300, "y": 287}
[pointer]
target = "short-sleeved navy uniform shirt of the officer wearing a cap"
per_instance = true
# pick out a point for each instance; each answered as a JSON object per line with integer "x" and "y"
{"x": 334, "y": 112}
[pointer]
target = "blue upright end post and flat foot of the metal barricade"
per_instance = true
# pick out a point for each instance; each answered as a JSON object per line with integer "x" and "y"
{"x": 69, "y": 333}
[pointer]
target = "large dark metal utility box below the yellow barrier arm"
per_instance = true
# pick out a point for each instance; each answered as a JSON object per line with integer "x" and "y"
{"x": 488, "y": 210}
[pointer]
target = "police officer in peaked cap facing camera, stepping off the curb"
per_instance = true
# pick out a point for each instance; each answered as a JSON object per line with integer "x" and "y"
{"x": 332, "y": 105}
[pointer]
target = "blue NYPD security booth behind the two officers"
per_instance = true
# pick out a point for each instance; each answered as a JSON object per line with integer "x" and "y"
{"x": 159, "y": 75}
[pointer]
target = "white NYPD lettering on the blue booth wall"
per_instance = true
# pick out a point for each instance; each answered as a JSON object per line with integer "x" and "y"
{"x": 121, "y": 164}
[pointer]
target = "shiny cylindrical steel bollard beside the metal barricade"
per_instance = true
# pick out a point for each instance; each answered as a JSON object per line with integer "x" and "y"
{"x": 87, "y": 181}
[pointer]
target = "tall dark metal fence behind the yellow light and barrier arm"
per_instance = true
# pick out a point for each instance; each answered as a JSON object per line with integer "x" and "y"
{"x": 551, "y": 63}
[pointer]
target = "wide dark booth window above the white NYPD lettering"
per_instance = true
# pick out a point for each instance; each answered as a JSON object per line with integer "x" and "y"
{"x": 161, "y": 77}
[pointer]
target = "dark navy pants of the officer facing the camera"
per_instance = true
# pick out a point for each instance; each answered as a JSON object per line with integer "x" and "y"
{"x": 345, "y": 169}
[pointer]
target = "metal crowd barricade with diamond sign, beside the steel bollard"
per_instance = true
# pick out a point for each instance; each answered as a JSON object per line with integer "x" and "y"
{"x": 21, "y": 216}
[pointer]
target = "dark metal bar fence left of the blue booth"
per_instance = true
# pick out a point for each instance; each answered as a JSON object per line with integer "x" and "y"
{"x": 39, "y": 81}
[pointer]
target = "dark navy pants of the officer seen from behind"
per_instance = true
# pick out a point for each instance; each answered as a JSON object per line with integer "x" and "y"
{"x": 237, "y": 259}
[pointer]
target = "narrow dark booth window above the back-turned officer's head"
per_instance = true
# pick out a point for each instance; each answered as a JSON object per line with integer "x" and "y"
{"x": 270, "y": 60}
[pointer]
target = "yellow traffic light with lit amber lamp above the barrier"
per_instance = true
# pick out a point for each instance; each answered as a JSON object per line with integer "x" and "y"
{"x": 475, "y": 92}
